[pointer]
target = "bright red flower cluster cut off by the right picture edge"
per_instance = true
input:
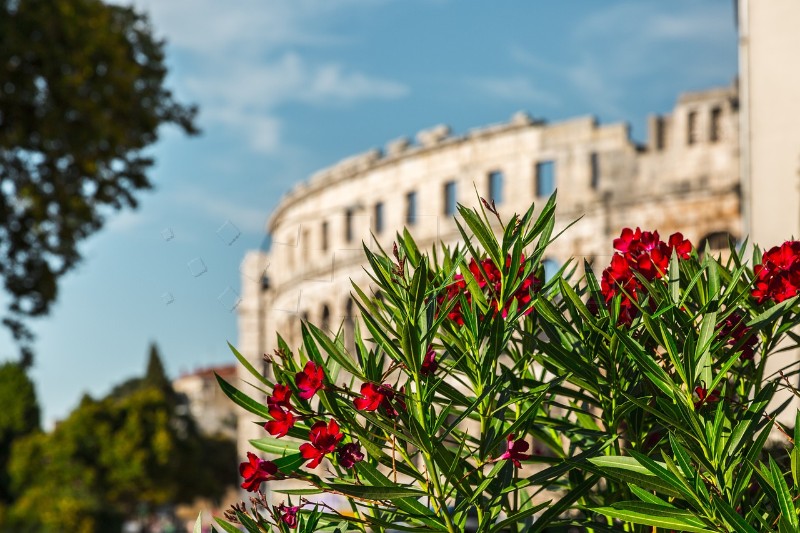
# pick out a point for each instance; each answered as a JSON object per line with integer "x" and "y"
{"x": 777, "y": 278}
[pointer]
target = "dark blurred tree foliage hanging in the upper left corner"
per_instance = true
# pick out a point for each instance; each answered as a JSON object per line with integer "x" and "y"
{"x": 81, "y": 96}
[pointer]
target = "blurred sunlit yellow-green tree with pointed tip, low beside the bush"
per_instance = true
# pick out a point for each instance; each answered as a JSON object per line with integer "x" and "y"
{"x": 111, "y": 457}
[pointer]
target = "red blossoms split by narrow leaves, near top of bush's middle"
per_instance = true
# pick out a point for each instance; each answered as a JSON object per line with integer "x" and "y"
{"x": 489, "y": 278}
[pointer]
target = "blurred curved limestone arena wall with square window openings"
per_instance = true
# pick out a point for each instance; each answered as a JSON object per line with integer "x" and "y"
{"x": 684, "y": 178}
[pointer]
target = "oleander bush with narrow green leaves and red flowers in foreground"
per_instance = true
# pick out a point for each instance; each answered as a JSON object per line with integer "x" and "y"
{"x": 478, "y": 395}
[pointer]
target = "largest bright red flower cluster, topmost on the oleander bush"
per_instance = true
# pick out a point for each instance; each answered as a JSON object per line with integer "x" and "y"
{"x": 641, "y": 252}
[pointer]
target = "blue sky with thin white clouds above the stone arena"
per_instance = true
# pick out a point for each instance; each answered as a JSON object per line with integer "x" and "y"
{"x": 288, "y": 87}
